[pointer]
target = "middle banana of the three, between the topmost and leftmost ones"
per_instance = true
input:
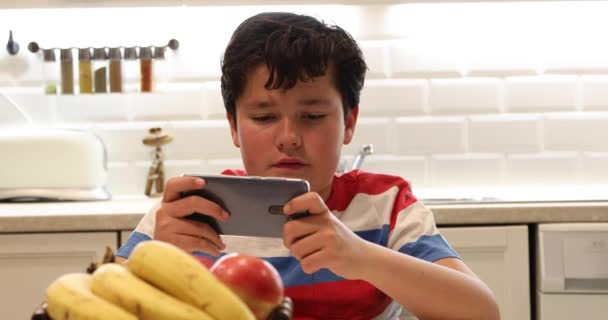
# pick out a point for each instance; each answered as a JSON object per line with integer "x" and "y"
{"x": 114, "y": 283}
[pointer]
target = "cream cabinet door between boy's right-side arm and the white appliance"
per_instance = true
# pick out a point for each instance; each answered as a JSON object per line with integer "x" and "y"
{"x": 499, "y": 256}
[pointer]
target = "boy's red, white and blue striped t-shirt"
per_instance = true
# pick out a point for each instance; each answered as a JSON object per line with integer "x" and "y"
{"x": 378, "y": 208}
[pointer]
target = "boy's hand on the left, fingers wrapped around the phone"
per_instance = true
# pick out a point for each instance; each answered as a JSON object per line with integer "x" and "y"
{"x": 172, "y": 227}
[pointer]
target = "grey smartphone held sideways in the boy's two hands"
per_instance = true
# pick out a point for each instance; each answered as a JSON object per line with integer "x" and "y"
{"x": 255, "y": 204}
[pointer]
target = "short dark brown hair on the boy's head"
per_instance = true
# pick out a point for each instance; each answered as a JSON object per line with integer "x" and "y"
{"x": 293, "y": 47}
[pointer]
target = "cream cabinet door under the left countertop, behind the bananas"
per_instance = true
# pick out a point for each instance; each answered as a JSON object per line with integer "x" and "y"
{"x": 30, "y": 262}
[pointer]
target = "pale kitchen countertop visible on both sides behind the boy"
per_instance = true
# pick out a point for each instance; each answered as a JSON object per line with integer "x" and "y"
{"x": 124, "y": 214}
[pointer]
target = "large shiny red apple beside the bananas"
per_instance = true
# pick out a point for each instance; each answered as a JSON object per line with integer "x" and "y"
{"x": 253, "y": 279}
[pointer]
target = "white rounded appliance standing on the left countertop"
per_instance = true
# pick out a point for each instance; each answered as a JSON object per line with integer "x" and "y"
{"x": 52, "y": 164}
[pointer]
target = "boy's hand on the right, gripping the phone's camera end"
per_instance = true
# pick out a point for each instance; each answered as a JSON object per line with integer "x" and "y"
{"x": 321, "y": 240}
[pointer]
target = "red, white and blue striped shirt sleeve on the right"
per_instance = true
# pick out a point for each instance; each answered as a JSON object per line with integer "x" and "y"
{"x": 413, "y": 230}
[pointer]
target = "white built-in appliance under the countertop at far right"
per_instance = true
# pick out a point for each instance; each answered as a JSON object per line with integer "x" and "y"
{"x": 572, "y": 271}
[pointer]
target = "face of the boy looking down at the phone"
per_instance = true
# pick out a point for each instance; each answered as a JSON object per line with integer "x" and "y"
{"x": 295, "y": 133}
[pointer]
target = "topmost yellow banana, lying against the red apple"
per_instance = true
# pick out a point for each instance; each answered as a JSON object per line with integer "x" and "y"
{"x": 181, "y": 275}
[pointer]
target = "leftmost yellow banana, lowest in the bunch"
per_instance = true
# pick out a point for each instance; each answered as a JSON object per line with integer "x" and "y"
{"x": 70, "y": 297}
